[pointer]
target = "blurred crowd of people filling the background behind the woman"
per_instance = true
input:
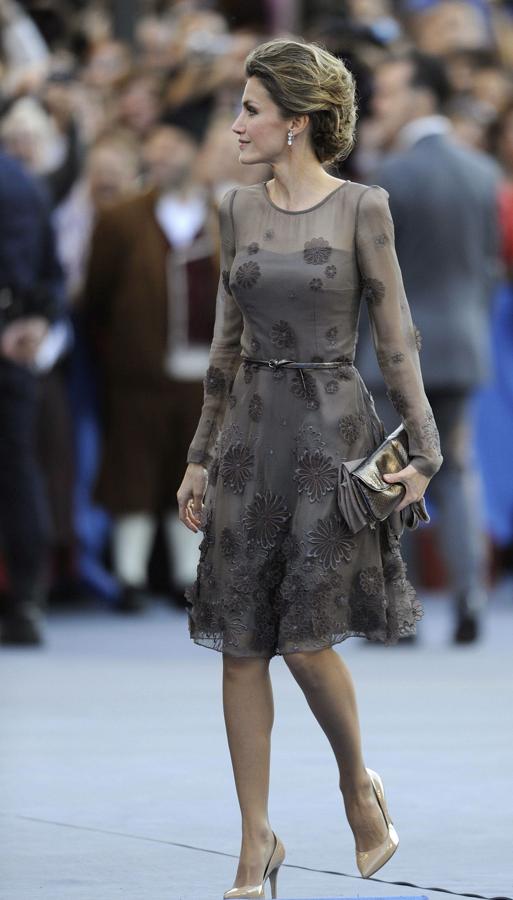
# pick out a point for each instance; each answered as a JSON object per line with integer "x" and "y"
{"x": 115, "y": 152}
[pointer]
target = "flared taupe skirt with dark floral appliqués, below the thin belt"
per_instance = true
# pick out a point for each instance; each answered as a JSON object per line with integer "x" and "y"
{"x": 279, "y": 571}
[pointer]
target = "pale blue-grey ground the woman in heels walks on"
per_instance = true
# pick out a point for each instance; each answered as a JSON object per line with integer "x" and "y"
{"x": 116, "y": 783}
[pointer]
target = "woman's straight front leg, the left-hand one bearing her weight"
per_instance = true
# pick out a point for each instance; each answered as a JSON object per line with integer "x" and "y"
{"x": 249, "y": 715}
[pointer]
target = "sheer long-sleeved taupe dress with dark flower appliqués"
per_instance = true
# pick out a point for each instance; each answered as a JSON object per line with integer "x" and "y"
{"x": 278, "y": 569}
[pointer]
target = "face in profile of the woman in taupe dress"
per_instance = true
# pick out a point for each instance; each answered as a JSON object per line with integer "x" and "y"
{"x": 261, "y": 130}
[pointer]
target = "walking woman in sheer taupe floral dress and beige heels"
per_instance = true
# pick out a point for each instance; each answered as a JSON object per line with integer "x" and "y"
{"x": 279, "y": 571}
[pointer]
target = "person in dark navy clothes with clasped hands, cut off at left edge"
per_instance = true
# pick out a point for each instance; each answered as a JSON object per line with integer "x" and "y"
{"x": 31, "y": 295}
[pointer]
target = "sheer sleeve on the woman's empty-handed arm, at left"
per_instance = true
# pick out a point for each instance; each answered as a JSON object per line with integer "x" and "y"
{"x": 225, "y": 349}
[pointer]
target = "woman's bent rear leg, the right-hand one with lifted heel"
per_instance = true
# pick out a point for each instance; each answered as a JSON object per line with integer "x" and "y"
{"x": 328, "y": 687}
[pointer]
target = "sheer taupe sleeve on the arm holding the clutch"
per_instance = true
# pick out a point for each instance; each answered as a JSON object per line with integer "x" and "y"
{"x": 396, "y": 339}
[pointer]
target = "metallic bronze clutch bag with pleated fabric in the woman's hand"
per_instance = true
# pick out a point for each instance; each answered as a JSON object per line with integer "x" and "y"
{"x": 364, "y": 498}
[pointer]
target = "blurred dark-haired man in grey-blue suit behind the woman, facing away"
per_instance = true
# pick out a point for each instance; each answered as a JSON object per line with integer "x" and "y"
{"x": 443, "y": 199}
